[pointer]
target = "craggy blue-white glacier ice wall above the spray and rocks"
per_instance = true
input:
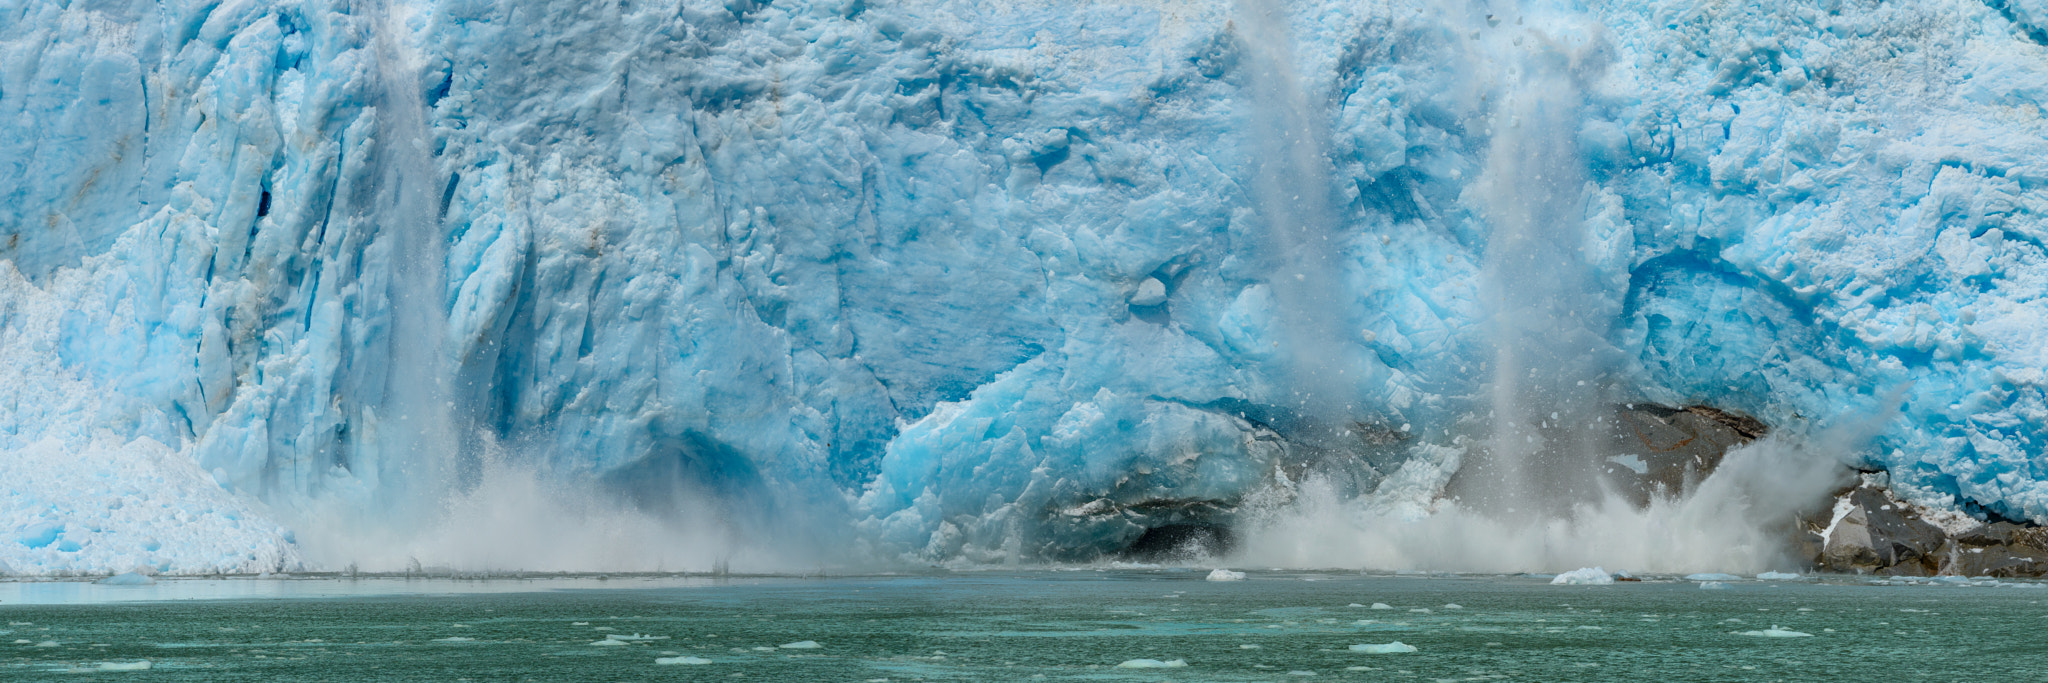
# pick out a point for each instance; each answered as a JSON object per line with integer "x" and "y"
{"x": 978, "y": 282}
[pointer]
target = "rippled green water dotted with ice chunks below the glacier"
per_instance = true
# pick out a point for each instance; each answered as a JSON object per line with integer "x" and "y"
{"x": 1021, "y": 627}
